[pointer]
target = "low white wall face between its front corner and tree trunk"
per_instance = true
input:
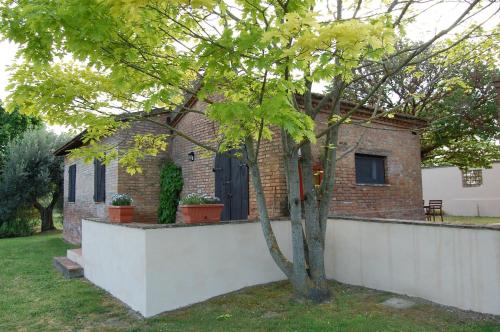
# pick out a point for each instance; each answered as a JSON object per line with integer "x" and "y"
{"x": 186, "y": 265}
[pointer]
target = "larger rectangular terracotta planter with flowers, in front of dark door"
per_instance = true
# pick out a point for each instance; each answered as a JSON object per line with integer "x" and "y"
{"x": 200, "y": 208}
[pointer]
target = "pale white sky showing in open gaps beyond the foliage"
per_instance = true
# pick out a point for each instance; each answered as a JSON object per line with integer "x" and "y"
{"x": 426, "y": 26}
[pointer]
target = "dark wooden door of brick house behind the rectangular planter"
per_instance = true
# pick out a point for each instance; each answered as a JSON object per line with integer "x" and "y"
{"x": 231, "y": 187}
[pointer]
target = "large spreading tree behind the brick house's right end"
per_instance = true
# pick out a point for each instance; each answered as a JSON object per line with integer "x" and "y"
{"x": 455, "y": 93}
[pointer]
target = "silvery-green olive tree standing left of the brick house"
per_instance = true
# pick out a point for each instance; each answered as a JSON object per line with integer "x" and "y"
{"x": 32, "y": 175}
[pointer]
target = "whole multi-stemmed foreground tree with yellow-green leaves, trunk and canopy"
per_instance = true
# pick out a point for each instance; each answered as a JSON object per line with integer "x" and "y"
{"x": 247, "y": 60}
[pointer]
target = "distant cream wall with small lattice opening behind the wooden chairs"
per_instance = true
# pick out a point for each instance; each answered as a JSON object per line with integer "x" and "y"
{"x": 446, "y": 183}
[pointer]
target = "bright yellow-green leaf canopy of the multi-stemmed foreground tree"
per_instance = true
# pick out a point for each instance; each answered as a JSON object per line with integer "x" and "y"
{"x": 145, "y": 54}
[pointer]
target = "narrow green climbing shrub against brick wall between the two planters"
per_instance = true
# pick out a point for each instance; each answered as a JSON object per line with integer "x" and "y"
{"x": 170, "y": 188}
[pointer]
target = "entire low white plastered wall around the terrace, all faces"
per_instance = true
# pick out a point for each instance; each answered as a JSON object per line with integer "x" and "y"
{"x": 159, "y": 269}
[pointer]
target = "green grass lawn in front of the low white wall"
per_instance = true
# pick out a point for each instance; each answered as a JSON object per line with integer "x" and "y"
{"x": 33, "y": 297}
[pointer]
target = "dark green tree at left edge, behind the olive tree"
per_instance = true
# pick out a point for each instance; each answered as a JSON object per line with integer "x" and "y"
{"x": 12, "y": 125}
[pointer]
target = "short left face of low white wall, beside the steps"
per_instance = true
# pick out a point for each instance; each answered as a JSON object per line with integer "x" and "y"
{"x": 115, "y": 261}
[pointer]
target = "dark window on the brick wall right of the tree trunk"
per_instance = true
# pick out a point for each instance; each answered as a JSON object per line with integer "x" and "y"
{"x": 370, "y": 169}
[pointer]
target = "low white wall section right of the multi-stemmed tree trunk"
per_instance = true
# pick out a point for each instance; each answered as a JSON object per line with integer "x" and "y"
{"x": 453, "y": 266}
